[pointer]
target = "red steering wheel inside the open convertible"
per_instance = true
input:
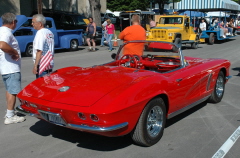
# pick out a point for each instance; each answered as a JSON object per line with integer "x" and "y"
{"x": 129, "y": 60}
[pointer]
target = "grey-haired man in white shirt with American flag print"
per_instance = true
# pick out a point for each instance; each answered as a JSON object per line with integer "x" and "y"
{"x": 43, "y": 47}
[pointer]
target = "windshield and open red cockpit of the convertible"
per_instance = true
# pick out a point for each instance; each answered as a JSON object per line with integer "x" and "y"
{"x": 156, "y": 56}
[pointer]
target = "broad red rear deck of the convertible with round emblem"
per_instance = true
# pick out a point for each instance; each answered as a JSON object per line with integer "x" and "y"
{"x": 86, "y": 85}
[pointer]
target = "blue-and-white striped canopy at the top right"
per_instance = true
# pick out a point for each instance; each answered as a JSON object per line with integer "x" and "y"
{"x": 209, "y": 5}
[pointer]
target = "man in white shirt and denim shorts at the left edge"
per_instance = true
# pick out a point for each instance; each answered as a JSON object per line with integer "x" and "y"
{"x": 10, "y": 65}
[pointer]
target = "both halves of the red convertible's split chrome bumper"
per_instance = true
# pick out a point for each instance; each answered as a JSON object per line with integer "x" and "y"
{"x": 81, "y": 127}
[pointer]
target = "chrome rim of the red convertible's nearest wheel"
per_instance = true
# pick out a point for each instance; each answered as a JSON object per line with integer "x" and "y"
{"x": 154, "y": 121}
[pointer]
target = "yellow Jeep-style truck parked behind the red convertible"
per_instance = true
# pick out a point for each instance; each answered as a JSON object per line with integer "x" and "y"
{"x": 175, "y": 29}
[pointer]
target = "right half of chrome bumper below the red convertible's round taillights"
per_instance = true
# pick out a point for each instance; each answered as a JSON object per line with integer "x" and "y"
{"x": 98, "y": 129}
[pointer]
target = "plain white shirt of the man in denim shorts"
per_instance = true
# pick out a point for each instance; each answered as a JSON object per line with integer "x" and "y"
{"x": 7, "y": 64}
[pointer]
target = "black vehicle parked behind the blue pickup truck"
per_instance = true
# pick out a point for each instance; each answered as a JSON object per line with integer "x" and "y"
{"x": 71, "y": 21}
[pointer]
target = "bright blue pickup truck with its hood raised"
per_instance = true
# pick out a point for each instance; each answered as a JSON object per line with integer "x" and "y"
{"x": 63, "y": 39}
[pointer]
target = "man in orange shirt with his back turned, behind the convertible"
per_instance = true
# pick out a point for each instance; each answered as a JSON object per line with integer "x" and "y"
{"x": 131, "y": 33}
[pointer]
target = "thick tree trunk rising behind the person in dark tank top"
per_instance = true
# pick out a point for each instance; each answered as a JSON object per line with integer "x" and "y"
{"x": 95, "y": 7}
